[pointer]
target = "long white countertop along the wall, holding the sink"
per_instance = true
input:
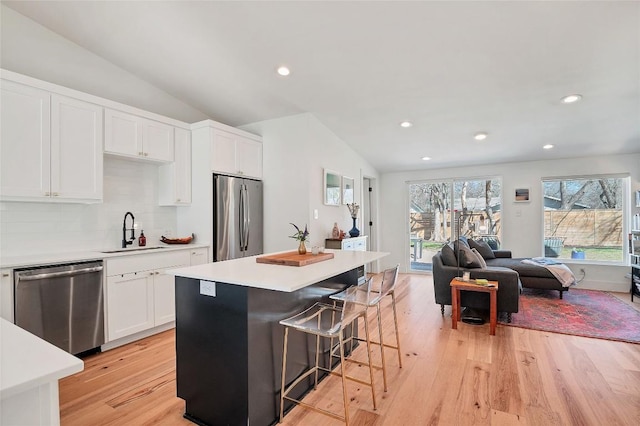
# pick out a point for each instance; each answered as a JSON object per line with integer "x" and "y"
{"x": 81, "y": 256}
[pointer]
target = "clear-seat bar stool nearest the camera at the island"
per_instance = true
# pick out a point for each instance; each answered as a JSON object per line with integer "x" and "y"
{"x": 319, "y": 320}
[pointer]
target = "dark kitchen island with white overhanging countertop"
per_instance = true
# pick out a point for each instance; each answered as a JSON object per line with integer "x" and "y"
{"x": 228, "y": 336}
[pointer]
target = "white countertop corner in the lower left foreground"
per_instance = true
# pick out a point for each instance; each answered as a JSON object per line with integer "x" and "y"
{"x": 26, "y": 361}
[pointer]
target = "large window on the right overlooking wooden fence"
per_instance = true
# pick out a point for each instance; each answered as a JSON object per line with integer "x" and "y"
{"x": 584, "y": 218}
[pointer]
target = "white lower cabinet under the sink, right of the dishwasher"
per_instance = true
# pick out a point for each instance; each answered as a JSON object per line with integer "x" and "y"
{"x": 140, "y": 295}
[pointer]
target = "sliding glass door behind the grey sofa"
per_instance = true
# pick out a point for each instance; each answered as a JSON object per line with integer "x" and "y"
{"x": 440, "y": 211}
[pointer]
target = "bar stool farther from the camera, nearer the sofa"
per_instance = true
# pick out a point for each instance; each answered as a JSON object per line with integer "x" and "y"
{"x": 370, "y": 297}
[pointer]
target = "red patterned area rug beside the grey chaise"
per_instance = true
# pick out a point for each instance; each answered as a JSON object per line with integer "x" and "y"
{"x": 586, "y": 313}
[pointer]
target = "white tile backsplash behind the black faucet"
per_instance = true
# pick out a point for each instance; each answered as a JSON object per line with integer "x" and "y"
{"x": 28, "y": 228}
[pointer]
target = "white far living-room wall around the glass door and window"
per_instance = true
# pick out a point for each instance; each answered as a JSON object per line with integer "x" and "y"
{"x": 522, "y": 227}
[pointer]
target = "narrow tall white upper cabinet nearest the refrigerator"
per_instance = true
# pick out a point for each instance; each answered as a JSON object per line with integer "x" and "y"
{"x": 175, "y": 178}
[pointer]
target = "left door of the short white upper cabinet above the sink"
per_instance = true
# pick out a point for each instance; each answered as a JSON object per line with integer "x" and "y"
{"x": 122, "y": 133}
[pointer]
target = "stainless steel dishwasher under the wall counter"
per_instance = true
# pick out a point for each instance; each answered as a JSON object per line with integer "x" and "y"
{"x": 62, "y": 304}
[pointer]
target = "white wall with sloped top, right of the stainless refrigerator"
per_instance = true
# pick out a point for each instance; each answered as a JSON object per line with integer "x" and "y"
{"x": 296, "y": 150}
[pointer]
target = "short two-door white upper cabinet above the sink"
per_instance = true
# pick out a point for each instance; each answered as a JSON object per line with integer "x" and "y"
{"x": 133, "y": 136}
